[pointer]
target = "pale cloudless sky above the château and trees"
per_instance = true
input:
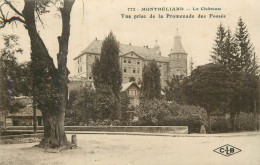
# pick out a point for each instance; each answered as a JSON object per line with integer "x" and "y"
{"x": 92, "y": 19}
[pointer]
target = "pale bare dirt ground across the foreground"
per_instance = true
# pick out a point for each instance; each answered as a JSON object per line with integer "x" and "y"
{"x": 132, "y": 149}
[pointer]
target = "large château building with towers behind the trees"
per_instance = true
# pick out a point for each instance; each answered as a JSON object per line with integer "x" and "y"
{"x": 132, "y": 60}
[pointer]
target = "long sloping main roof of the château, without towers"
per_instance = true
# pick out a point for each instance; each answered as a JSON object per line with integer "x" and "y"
{"x": 144, "y": 52}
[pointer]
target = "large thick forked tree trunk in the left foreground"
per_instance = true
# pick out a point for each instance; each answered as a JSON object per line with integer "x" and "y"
{"x": 49, "y": 82}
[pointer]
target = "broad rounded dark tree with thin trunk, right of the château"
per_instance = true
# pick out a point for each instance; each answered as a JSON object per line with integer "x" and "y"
{"x": 208, "y": 86}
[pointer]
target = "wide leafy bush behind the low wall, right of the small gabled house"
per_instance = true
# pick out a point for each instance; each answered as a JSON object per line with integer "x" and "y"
{"x": 162, "y": 113}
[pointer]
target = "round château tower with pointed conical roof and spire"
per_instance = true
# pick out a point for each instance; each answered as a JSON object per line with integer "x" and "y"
{"x": 178, "y": 58}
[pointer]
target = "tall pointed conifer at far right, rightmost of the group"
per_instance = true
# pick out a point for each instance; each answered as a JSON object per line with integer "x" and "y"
{"x": 246, "y": 51}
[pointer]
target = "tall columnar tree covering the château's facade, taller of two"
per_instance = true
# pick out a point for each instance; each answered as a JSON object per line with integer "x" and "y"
{"x": 107, "y": 78}
